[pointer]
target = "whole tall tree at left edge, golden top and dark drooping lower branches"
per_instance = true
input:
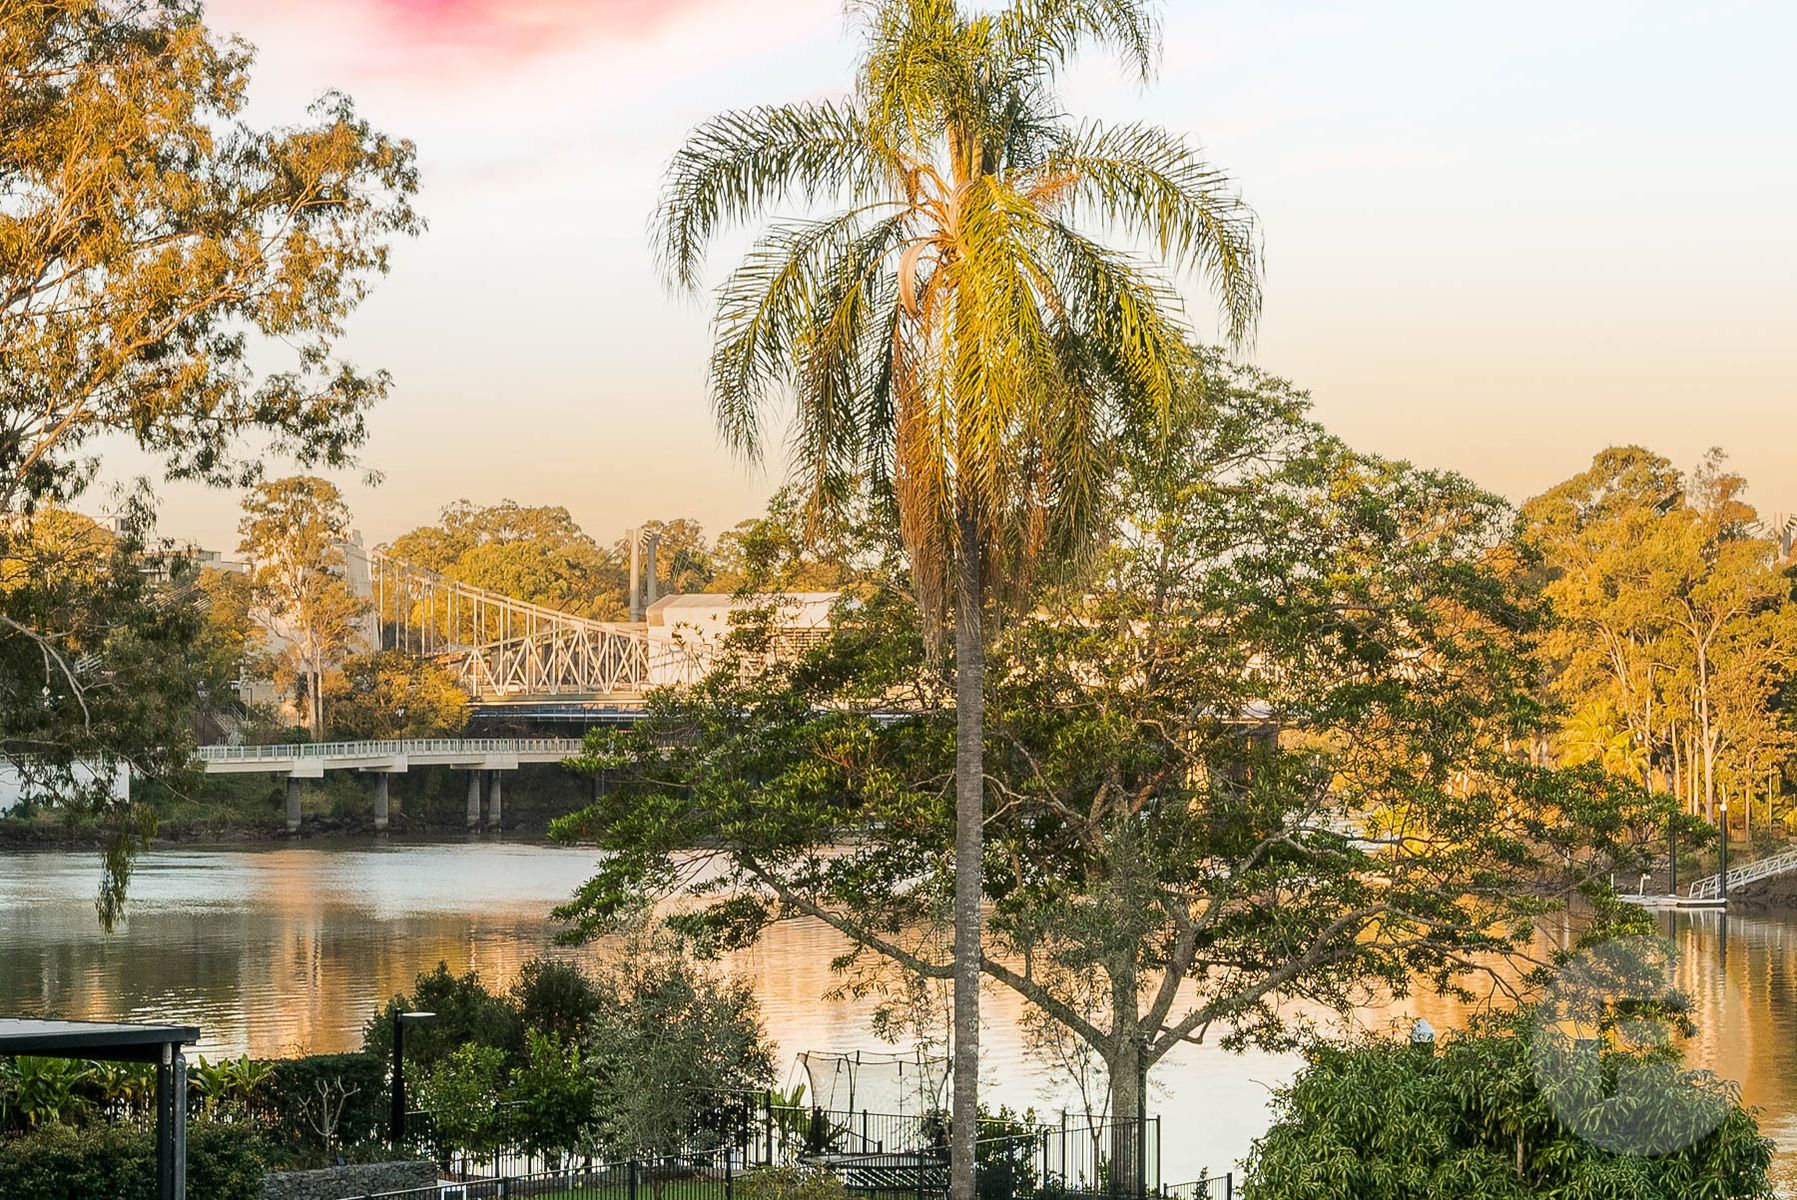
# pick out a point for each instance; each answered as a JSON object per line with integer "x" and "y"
{"x": 175, "y": 278}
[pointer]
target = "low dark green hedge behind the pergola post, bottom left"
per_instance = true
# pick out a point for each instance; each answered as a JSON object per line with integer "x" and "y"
{"x": 120, "y": 1163}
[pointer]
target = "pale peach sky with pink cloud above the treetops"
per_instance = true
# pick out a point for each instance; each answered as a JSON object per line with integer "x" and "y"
{"x": 1500, "y": 238}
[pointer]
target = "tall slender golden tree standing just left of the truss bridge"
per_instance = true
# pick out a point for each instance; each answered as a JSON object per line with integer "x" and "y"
{"x": 294, "y": 533}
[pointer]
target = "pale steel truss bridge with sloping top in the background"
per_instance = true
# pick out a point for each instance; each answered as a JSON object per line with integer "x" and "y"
{"x": 509, "y": 651}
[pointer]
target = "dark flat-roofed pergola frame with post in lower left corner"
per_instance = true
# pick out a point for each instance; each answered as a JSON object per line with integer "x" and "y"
{"x": 123, "y": 1043}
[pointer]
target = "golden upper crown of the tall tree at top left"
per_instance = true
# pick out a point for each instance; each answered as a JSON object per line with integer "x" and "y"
{"x": 155, "y": 247}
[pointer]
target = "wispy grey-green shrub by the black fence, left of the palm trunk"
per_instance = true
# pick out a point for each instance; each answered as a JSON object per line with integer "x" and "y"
{"x": 669, "y": 1039}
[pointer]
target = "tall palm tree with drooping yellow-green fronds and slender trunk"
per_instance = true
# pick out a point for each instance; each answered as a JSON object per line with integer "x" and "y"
{"x": 952, "y": 331}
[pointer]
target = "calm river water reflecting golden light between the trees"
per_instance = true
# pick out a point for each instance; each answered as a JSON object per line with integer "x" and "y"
{"x": 288, "y": 951}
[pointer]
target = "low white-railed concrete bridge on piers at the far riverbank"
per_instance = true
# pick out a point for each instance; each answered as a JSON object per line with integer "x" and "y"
{"x": 484, "y": 759}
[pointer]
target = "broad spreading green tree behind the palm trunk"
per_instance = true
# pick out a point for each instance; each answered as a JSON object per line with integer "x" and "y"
{"x": 1268, "y": 750}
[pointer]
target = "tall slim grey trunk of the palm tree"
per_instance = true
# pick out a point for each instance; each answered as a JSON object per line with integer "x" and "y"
{"x": 969, "y": 849}
